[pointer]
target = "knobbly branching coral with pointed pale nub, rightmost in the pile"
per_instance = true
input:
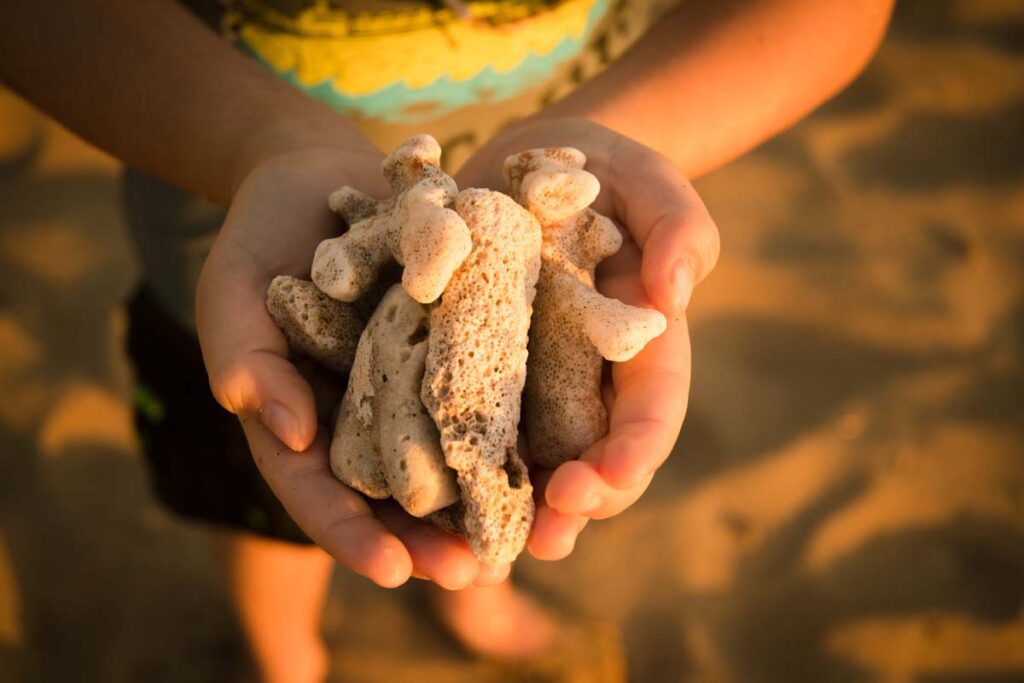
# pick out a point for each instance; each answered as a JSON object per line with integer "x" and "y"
{"x": 574, "y": 326}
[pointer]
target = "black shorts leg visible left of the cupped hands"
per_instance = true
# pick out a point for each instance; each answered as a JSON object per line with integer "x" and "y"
{"x": 199, "y": 462}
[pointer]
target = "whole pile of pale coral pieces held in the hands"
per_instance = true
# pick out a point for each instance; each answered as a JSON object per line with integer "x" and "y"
{"x": 437, "y": 374}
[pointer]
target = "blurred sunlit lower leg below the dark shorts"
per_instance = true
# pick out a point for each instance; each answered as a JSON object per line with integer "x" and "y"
{"x": 279, "y": 591}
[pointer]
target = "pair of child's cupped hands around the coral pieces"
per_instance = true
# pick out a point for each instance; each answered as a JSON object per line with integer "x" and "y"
{"x": 278, "y": 218}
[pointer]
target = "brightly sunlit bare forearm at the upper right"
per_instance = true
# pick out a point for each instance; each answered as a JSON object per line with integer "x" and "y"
{"x": 714, "y": 79}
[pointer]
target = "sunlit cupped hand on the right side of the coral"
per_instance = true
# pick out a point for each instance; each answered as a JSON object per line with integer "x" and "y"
{"x": 670, "y": 246}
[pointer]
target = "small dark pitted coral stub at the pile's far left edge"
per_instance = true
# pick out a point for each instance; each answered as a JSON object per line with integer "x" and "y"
{"x": 316, "y": 325}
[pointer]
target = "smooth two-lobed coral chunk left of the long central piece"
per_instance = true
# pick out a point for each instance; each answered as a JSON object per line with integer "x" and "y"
{"x": 386, "y": 444}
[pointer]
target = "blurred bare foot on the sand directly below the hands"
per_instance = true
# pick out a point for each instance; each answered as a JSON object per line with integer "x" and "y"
{"x": 497, "y": 621}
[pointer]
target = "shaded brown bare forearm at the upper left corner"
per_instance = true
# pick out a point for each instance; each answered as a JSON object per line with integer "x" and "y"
{"x": 151, "y": 84}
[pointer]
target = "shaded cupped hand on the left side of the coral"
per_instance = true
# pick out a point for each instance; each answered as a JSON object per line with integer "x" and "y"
{"x": 278, "y": 218}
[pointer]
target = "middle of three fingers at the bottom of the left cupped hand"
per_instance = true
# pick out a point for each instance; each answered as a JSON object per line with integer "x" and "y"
{"x": 438, "y": 556}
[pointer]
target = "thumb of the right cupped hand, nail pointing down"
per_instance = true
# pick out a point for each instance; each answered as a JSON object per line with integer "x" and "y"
{"x": 668, "y": 220}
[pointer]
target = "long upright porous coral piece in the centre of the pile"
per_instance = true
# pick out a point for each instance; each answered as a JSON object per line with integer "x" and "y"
{"x": 477, "y": 369}
